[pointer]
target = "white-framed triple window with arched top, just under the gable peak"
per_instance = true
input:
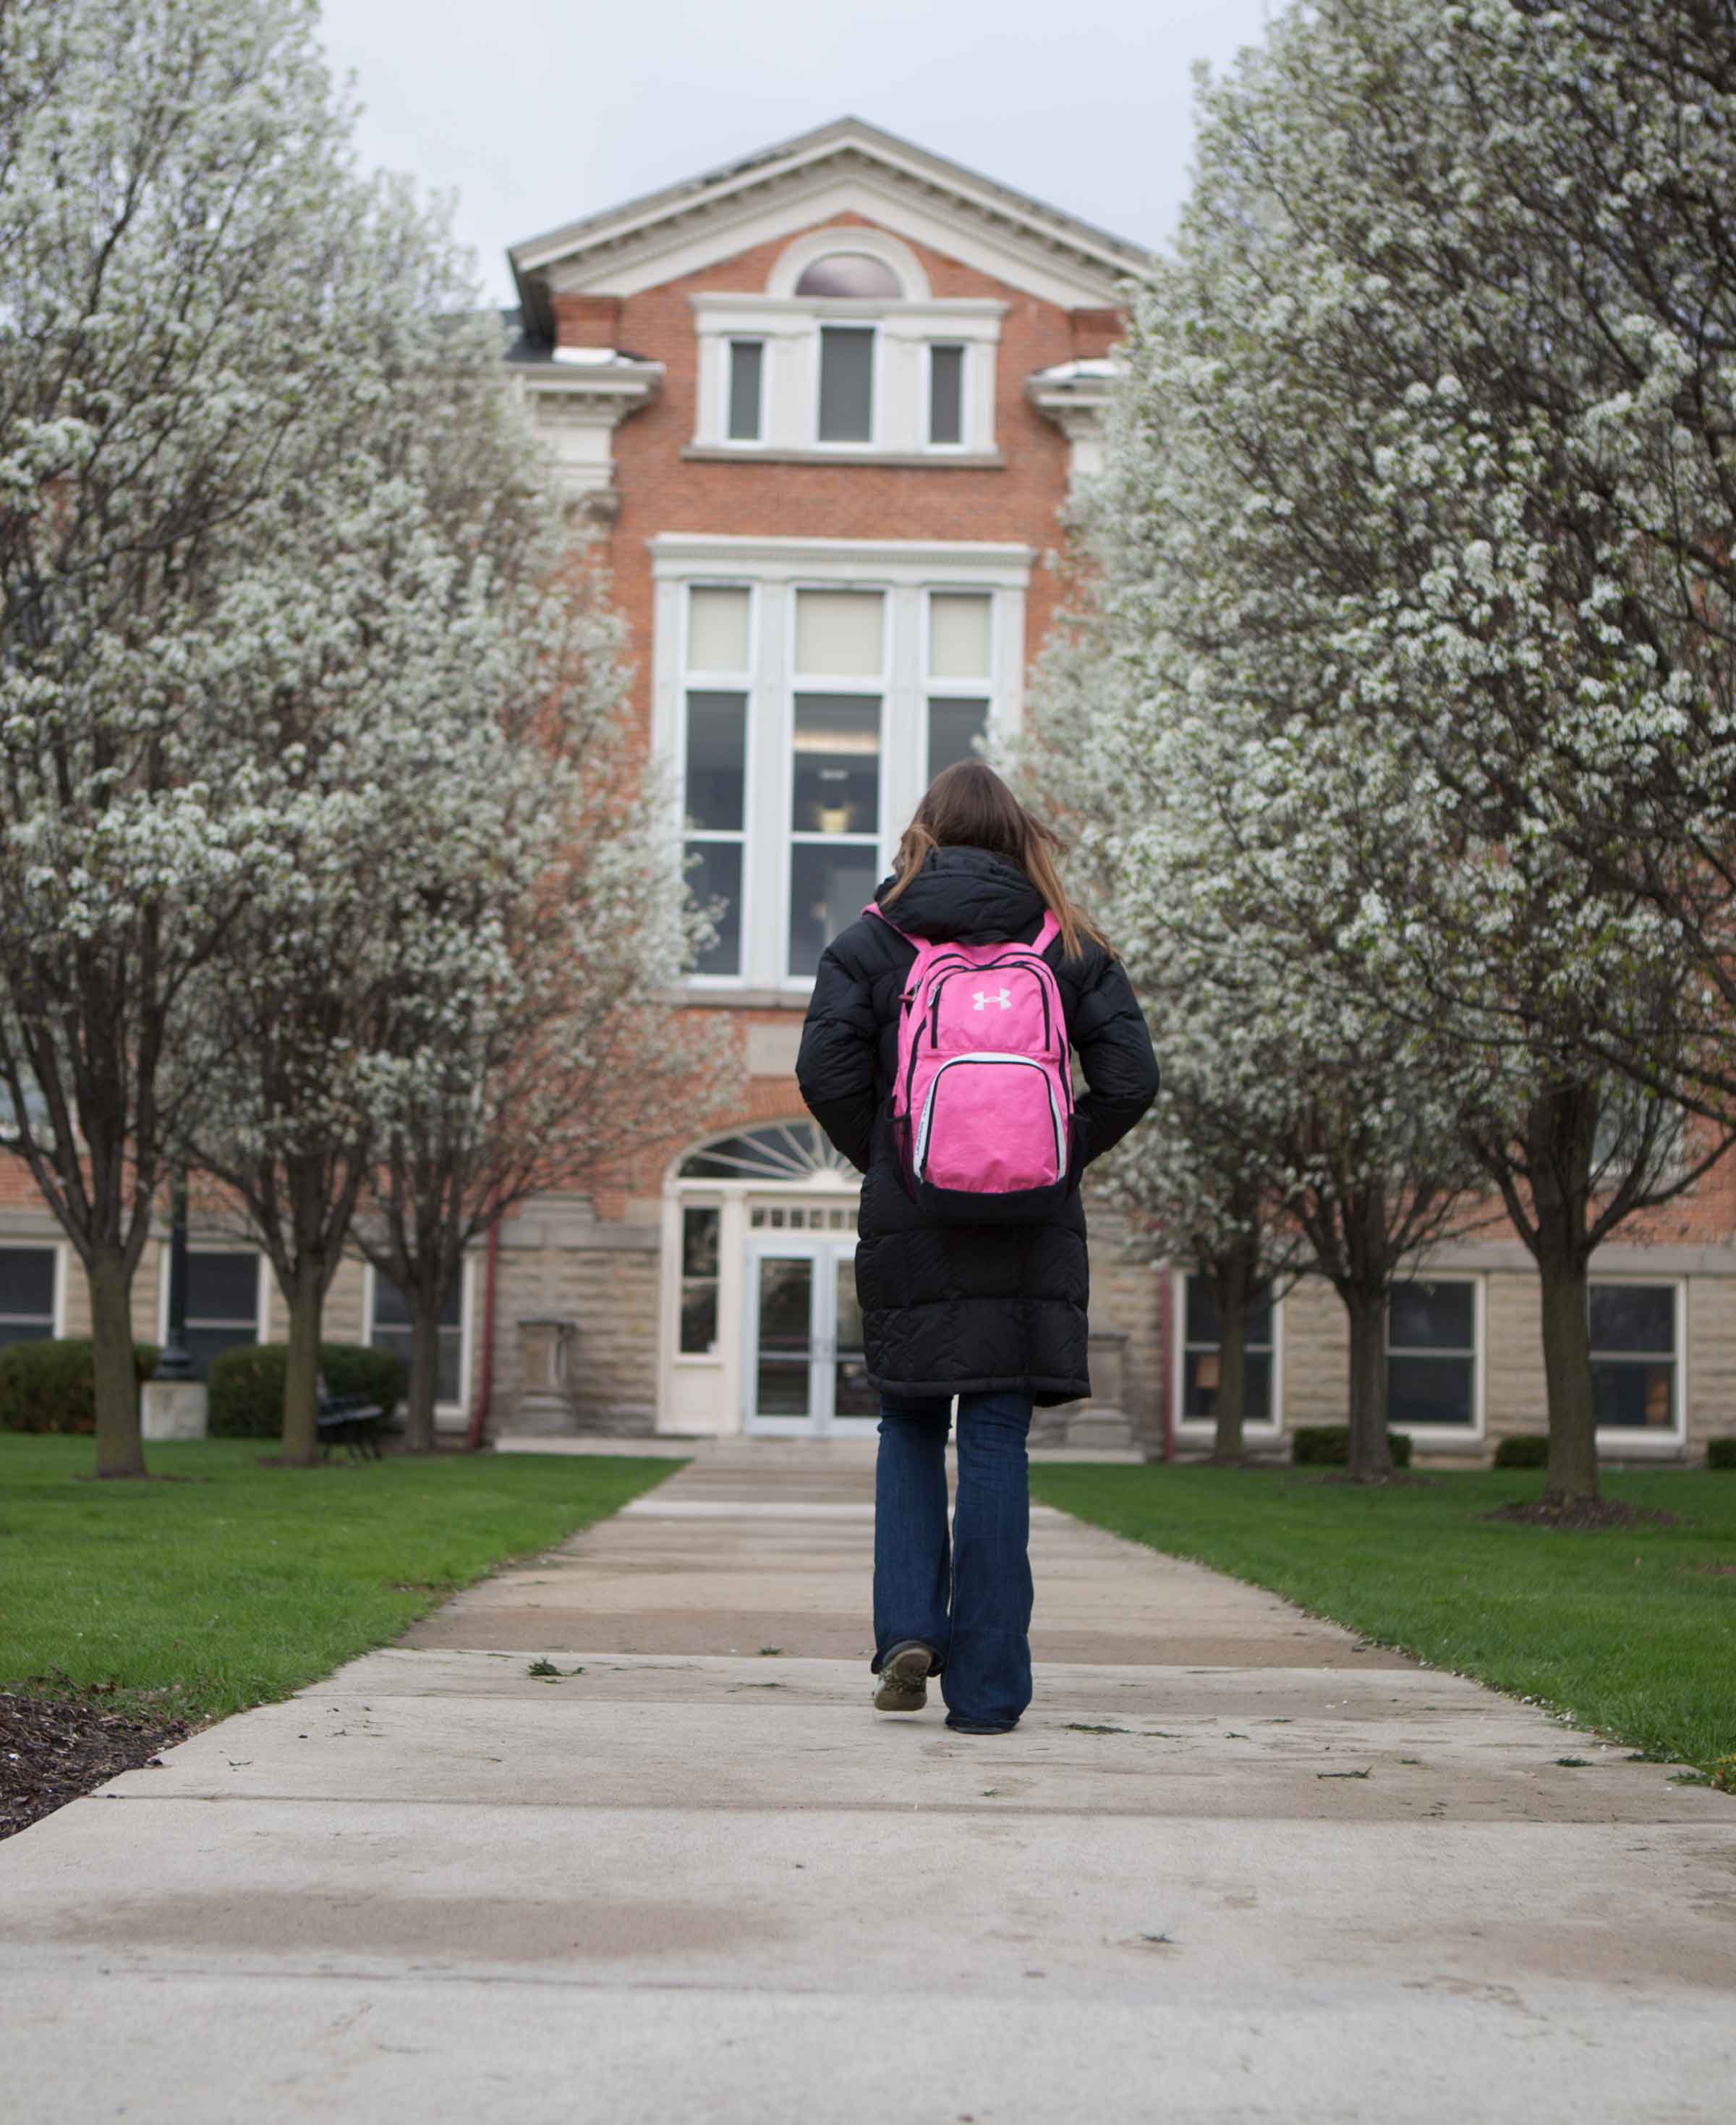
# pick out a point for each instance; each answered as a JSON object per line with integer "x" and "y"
{"x": 847, "y": 354}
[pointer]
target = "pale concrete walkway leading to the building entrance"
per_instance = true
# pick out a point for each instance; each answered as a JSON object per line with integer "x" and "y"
{"x": 1231, "y": 1867}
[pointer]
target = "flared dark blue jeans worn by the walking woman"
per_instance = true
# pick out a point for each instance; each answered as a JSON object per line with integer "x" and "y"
{"x": 972, "y": 1597}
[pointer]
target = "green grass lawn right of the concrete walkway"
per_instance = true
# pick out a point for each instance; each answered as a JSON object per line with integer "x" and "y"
{"x": 1631, "y": 1631}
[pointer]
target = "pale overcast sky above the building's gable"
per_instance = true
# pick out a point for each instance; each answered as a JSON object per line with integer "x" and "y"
{"x": 539, "y": 112}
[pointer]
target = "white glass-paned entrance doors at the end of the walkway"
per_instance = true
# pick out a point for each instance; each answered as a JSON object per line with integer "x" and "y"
{"x": 802, "y": 1344}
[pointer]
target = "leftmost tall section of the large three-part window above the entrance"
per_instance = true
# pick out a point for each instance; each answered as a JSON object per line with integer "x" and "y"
{"x": 717, "y": 764}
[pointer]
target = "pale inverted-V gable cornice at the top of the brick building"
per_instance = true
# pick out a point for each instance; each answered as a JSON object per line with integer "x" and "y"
{"x": 847, "y": 169}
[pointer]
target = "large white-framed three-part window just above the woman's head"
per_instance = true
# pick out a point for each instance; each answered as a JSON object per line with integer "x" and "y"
{"x": 813, "y": 717}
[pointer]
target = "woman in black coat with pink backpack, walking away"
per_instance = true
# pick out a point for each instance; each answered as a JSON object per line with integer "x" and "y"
{"x": 936, "y": 1057}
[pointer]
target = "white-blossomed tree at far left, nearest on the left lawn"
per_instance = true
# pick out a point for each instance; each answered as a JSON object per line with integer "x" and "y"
{"x": 171, "y": 203}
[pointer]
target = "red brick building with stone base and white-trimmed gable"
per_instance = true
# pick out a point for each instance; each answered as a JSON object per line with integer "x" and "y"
{"x": 819, "y": 413}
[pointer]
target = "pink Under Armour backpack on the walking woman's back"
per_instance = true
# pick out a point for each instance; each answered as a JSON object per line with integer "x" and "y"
{"x": 985, "y": 1095}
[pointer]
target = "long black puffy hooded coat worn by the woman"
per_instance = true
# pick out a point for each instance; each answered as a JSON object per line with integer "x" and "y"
{"x": 966, "y": 1308}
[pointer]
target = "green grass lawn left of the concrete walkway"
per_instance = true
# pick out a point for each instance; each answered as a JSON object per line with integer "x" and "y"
{"x": 237, "y": 1584}
